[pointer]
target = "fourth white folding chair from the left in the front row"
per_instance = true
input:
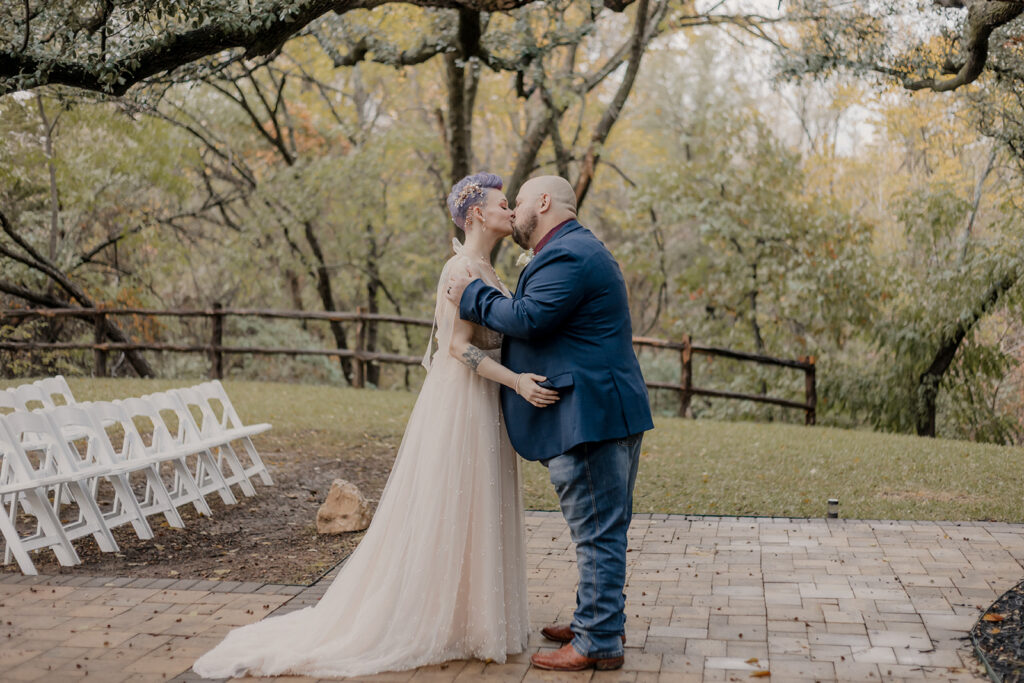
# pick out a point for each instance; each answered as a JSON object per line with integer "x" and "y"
{"x": 133, "y": 458}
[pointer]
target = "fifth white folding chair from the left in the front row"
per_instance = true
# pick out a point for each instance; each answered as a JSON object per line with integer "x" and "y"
{"x": 147, "y": 423}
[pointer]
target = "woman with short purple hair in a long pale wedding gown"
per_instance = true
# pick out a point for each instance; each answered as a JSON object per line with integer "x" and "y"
{"x": 441, "y": 574}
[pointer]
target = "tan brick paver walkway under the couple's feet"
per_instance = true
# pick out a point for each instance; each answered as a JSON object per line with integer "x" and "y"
{"x": 710, "y": 599}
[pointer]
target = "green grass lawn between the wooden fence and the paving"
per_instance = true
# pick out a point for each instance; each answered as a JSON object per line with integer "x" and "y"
{"x": 688, "y": 466}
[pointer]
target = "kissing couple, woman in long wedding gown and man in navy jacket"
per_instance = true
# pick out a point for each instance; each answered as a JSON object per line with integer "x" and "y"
{"x": 548, "y": 372}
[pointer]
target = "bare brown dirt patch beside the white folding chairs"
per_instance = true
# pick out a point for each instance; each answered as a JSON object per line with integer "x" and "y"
{"x": 269, "y": 538}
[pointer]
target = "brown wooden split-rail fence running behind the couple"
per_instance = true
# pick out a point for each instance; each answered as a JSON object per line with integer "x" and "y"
{"x": 217, "y": 351}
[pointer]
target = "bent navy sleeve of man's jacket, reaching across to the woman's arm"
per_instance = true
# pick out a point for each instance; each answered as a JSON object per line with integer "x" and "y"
{"x": 550, "y": 295}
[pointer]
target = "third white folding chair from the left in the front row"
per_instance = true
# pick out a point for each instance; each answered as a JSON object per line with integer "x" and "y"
{"x": 92, "y": 457}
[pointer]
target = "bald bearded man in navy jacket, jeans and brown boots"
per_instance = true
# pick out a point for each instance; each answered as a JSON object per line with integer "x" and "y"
{"x": 570, "y": 321}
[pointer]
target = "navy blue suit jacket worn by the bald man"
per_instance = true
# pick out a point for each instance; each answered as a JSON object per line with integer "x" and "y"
{"x": 569, "y": 321}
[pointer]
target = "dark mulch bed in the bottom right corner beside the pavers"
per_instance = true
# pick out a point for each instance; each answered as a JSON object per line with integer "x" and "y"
{"x": 999, "y": 637}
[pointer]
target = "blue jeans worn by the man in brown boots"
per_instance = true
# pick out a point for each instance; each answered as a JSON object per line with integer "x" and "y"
{"x": 594, "y": 483}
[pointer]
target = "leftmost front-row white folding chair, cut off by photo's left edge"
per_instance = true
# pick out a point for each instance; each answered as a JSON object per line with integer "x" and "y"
{"x": 23, "y": 490}
